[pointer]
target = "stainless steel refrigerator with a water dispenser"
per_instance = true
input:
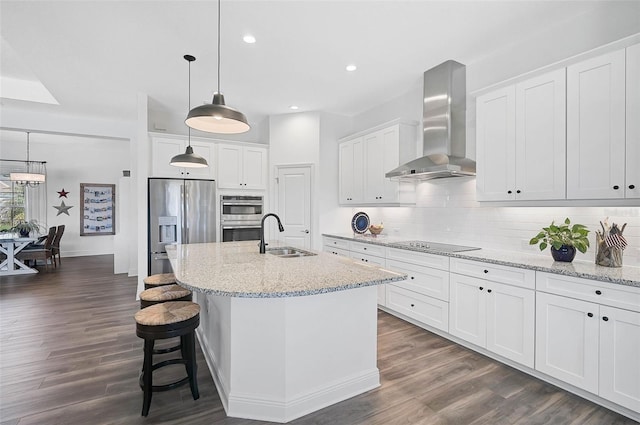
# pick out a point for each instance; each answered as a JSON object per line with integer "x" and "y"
{"x": 180, "y": 211}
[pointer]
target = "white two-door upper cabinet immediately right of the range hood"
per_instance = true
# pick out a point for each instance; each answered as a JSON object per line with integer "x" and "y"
{"x": 521, "y": 140}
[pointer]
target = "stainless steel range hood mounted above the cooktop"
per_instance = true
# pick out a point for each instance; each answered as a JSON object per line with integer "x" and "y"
{"x": 443, "y": 125}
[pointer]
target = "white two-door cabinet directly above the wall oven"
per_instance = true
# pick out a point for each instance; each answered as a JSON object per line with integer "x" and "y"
{"x": 242, "y": 167}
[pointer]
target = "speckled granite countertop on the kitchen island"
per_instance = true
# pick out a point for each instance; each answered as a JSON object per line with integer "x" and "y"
{"x": 237, "y": 269}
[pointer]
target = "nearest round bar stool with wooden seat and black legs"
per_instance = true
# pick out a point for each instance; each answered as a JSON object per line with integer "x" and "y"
{"x": 167, "y": 320}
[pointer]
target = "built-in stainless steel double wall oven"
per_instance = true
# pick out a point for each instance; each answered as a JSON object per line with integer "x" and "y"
{"x": 240, "y": 217}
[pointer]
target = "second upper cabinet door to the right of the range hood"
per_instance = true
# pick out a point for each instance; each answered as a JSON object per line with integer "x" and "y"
{"x": 540, "y": 137}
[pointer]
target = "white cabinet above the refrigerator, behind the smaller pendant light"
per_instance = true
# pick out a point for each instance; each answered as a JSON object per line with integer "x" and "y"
{"x": 165, "y": 148}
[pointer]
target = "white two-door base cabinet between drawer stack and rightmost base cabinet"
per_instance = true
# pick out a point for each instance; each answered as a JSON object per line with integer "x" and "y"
{"x": 493, "y": 315}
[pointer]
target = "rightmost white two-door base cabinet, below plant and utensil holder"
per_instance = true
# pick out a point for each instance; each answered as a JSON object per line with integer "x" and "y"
{"x": 588, "y": 344}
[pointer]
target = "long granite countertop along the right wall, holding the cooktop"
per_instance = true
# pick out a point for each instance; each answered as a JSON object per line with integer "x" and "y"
{"x": 625, "y": 275}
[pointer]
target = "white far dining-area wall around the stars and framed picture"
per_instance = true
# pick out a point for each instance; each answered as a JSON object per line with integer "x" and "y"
{"x": 72, "y": 160}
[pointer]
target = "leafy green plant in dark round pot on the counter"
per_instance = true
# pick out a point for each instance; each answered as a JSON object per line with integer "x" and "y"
{"x": 564, "y": 239}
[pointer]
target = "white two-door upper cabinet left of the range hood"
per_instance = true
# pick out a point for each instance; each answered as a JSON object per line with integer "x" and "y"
{"x": 365, "y": 158}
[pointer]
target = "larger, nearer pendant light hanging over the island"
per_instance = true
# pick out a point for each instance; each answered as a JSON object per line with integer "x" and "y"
{"x": 217, "y": 117}
